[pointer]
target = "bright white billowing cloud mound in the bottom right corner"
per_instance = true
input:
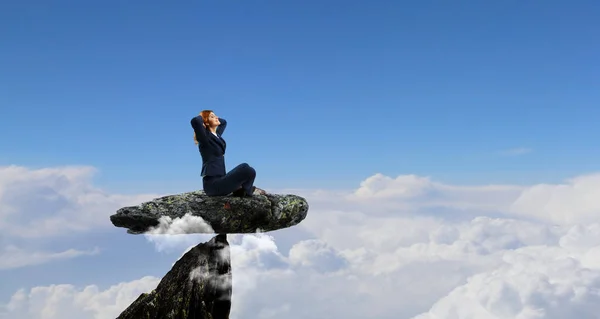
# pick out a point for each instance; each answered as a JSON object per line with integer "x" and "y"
{"x": 532, "y": 282}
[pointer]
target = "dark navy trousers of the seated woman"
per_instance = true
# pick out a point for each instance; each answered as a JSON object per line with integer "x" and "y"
{"x": 242, "y": 175}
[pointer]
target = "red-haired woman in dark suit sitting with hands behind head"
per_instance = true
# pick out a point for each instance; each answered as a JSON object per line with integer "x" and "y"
{"x": 208, "y": 131}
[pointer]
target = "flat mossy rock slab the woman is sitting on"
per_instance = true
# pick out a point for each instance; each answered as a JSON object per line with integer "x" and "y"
{"x": 195, "y": 212}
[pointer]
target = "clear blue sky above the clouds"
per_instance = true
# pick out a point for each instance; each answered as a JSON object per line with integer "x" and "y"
{"x": 315, "y": 92}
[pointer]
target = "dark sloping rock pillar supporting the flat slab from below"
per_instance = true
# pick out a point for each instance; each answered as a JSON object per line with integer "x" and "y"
{"x": 198, "y": 286}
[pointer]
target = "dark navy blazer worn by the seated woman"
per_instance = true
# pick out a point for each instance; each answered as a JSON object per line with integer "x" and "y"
{"x": 211, "y": 147}
